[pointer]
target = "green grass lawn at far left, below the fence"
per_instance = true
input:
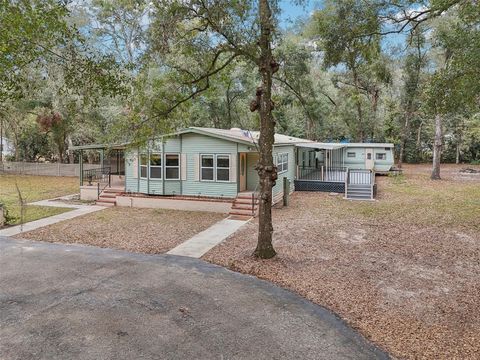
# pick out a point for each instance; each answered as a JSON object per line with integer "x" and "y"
{"x": 34, "y": 188}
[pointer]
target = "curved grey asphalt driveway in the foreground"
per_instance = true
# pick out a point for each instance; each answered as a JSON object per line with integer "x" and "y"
{"x": 76, "y": 302}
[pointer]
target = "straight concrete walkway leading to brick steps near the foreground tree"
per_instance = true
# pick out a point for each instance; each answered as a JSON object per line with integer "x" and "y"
{"x": 202, "y": 242}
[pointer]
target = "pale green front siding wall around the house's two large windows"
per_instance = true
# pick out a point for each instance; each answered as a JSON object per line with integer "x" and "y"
{"x": 190, "y": 147}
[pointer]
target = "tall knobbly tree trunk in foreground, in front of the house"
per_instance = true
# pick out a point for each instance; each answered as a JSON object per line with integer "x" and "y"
{"x": 267, "y": 172}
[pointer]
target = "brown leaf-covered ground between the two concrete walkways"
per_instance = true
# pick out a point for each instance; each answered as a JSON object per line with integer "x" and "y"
{"x": 150, "y": 231}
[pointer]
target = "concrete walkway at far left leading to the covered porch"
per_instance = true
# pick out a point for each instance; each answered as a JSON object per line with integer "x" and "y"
{"x": 79, "y": 210}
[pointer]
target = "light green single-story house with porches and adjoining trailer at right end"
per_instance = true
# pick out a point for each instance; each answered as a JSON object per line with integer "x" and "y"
{"x": 218, "y": 166}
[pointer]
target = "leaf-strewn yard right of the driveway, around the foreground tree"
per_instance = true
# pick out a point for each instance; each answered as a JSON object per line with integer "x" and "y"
{"x": 404, "y": 271}
